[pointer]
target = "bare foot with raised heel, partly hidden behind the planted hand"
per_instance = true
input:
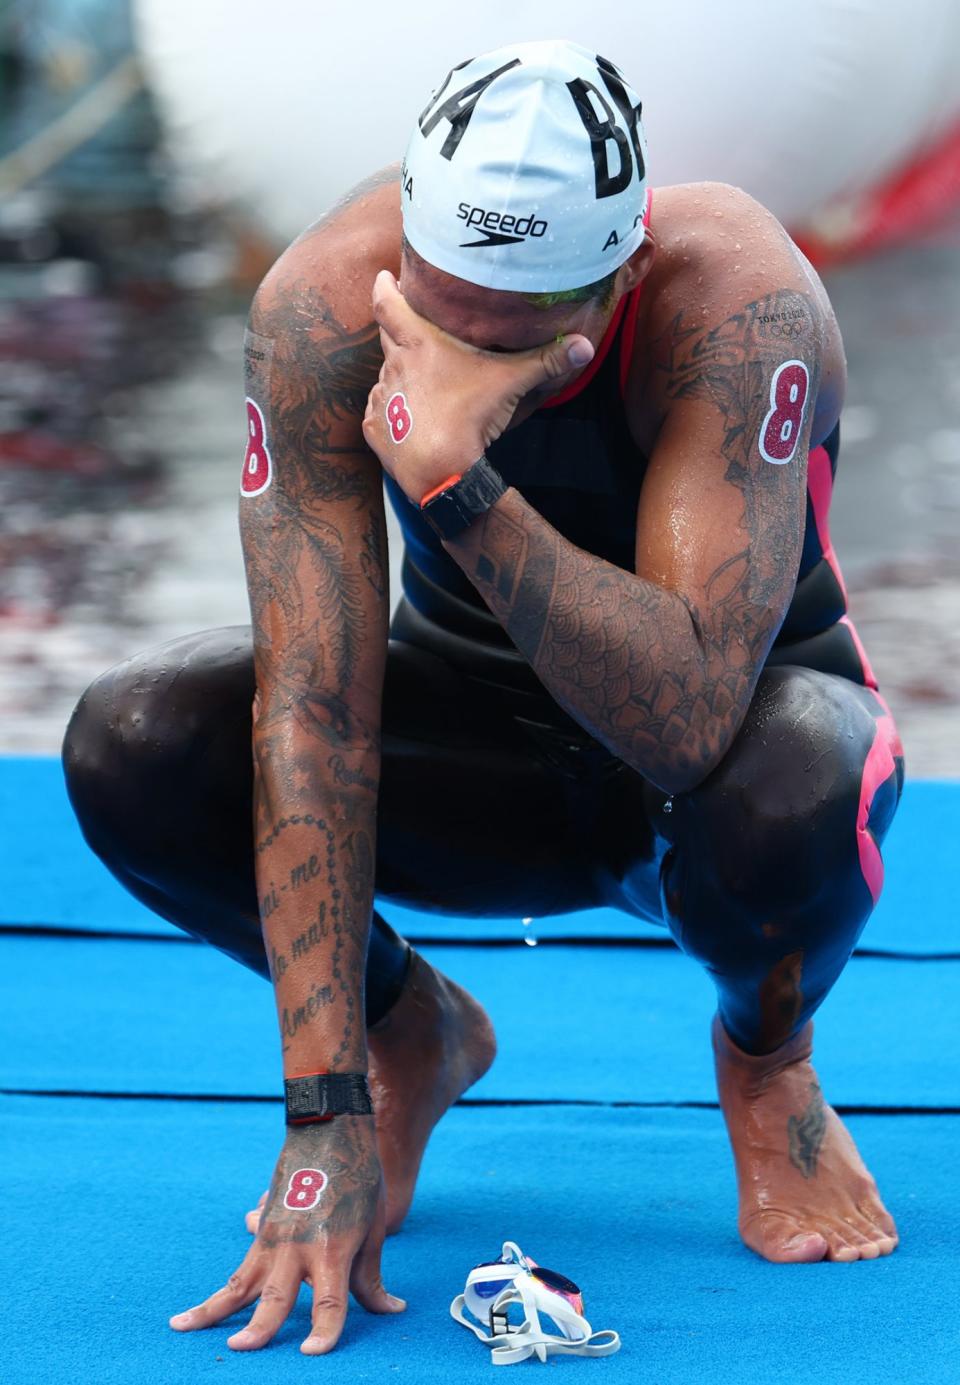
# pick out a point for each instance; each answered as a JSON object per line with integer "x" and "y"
{"x": 425, "y": 1053}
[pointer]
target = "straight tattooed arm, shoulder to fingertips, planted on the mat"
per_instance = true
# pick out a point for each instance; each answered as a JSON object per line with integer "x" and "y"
{"x": 312, "y": 530}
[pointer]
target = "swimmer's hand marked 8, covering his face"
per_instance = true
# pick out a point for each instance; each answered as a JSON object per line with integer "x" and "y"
{"x": 438, "y": 402}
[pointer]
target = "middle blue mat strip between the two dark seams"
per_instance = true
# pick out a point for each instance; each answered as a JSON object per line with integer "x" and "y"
{"x": 118, "y": 1016}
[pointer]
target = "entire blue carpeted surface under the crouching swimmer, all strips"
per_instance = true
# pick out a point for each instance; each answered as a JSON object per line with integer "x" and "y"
{"x": 110, "y": 1224}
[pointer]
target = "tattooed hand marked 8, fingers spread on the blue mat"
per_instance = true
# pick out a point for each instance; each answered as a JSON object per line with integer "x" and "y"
{"x": 323, "y": 1224}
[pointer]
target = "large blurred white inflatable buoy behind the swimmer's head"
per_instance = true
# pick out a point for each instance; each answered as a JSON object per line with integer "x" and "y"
{"x": 279, "y": 109}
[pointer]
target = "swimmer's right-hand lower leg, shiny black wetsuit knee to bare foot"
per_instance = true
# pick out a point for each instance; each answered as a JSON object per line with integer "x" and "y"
{"x": 764, "y": 886}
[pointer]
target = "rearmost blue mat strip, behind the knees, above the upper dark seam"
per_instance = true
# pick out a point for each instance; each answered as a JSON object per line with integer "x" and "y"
{"x": 59, "y": 883}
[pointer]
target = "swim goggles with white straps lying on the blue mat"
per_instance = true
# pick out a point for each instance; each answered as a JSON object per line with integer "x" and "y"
{"x": 497, "y": 1286}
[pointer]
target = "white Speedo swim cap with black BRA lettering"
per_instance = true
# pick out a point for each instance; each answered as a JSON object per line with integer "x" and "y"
{"x": 527, "y": 171}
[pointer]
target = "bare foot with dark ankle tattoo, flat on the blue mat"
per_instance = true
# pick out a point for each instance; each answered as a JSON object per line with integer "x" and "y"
{"x": 806, "y": 1193}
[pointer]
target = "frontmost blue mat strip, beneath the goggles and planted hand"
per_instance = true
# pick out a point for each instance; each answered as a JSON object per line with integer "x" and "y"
{"x": 134, "y": 1236}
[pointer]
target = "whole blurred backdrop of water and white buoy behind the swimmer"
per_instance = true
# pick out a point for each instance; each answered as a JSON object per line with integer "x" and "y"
{"x": 157, "y": 156}
